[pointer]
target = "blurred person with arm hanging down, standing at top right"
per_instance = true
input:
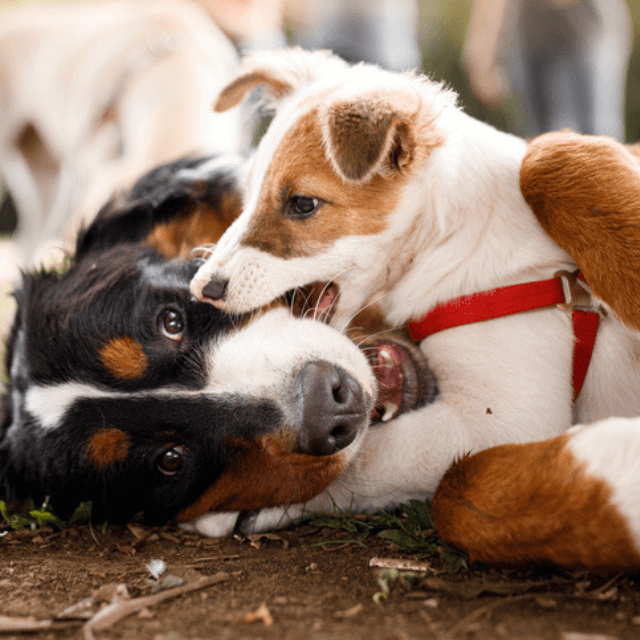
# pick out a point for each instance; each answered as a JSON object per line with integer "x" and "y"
{"x": 562, "y": 62}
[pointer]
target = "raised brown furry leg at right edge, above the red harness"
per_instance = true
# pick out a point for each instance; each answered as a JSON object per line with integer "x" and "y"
{"x": 585, "y": 191}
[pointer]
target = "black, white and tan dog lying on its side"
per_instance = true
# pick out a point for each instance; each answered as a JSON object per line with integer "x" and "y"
{"x": 126, "y": 391}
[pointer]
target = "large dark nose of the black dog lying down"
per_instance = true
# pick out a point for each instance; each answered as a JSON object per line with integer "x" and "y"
{"x": 333, "y": 408}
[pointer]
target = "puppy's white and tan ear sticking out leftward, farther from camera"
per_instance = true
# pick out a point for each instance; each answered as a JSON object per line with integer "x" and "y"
{"x": 279, "y": 72}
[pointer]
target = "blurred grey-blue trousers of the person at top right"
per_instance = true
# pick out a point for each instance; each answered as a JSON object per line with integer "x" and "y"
{"x": 575, "y": 57}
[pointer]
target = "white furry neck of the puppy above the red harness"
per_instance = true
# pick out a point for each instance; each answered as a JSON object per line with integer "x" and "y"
{"x": 471, "y": 231}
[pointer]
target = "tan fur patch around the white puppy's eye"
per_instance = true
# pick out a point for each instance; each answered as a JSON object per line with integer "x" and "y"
{"x": 300, "y": 167}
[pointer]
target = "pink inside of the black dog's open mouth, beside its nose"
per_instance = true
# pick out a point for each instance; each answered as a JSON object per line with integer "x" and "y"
{"x": 387, "y": 363}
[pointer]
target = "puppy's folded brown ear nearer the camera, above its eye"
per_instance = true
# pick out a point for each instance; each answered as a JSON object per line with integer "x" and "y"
{"x": 370, "y": 135}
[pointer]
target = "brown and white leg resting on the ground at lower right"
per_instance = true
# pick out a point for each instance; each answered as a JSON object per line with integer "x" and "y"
{"x": 570, "y": 501}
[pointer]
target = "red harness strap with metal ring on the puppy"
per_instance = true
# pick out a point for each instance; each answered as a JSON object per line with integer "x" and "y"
{"x": 567, "y": 290}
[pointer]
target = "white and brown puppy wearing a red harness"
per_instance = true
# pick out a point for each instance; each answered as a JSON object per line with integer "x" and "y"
{"x": 381, "y": 187}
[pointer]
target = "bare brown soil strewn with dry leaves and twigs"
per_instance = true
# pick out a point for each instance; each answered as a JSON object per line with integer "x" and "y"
{"x": 303, "y": 582}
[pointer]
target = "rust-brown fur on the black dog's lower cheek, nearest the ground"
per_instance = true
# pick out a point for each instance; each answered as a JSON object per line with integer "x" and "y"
{"x": 265, "y": 473}
